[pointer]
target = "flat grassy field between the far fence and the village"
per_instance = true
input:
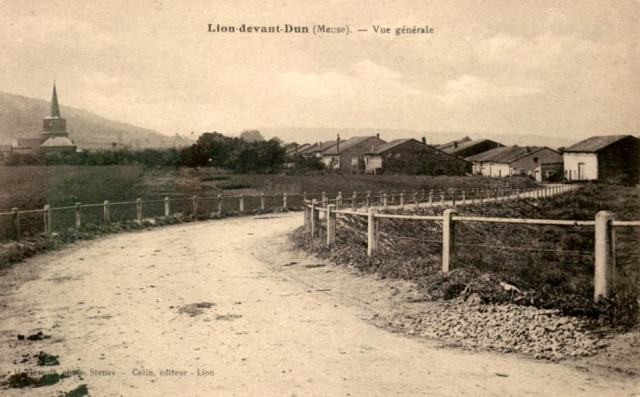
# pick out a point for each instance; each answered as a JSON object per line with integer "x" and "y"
{"x": 31, "y": 187}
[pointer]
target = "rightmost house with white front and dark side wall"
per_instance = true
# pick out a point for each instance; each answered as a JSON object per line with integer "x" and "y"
{"x": 610, "y": 159}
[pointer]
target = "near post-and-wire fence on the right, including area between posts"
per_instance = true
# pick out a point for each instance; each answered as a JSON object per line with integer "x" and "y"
{"x": 510, "y": 245}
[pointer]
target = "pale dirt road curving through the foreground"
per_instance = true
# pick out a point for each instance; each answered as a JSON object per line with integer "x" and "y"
{"x": 270, "y": 322}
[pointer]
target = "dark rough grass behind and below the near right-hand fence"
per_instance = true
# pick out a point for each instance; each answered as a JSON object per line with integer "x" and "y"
{"x": 552, "y": 265}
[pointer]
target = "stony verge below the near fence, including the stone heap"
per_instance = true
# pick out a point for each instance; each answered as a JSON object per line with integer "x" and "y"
{"x": 473, "y": 311}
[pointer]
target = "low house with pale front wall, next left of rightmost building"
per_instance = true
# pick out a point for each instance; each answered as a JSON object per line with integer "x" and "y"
{"x": 513, "y": 160}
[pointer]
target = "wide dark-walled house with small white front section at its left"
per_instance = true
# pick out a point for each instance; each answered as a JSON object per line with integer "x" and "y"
{"x": 409, "y": 156}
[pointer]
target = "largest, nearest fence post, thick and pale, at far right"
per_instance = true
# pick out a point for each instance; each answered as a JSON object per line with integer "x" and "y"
{"x": 604, "y": 255}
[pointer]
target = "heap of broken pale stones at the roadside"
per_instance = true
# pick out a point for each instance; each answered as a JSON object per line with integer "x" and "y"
{"x": 543, "y": 334}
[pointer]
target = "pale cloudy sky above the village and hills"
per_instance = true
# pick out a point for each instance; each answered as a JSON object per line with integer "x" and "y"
{"x": 551, "y": 68}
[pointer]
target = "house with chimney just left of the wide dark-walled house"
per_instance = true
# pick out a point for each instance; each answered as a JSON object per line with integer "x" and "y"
{"x": 348, "y": 155}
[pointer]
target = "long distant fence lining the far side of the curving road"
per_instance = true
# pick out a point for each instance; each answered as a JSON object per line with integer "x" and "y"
{"x": 17, "y": 224}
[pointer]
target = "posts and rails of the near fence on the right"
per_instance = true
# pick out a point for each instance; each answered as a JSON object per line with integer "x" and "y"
{"x": 604, "y": 226}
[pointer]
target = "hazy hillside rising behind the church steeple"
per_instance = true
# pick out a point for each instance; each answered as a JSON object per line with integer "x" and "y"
{"x": 21, "y": 117}
